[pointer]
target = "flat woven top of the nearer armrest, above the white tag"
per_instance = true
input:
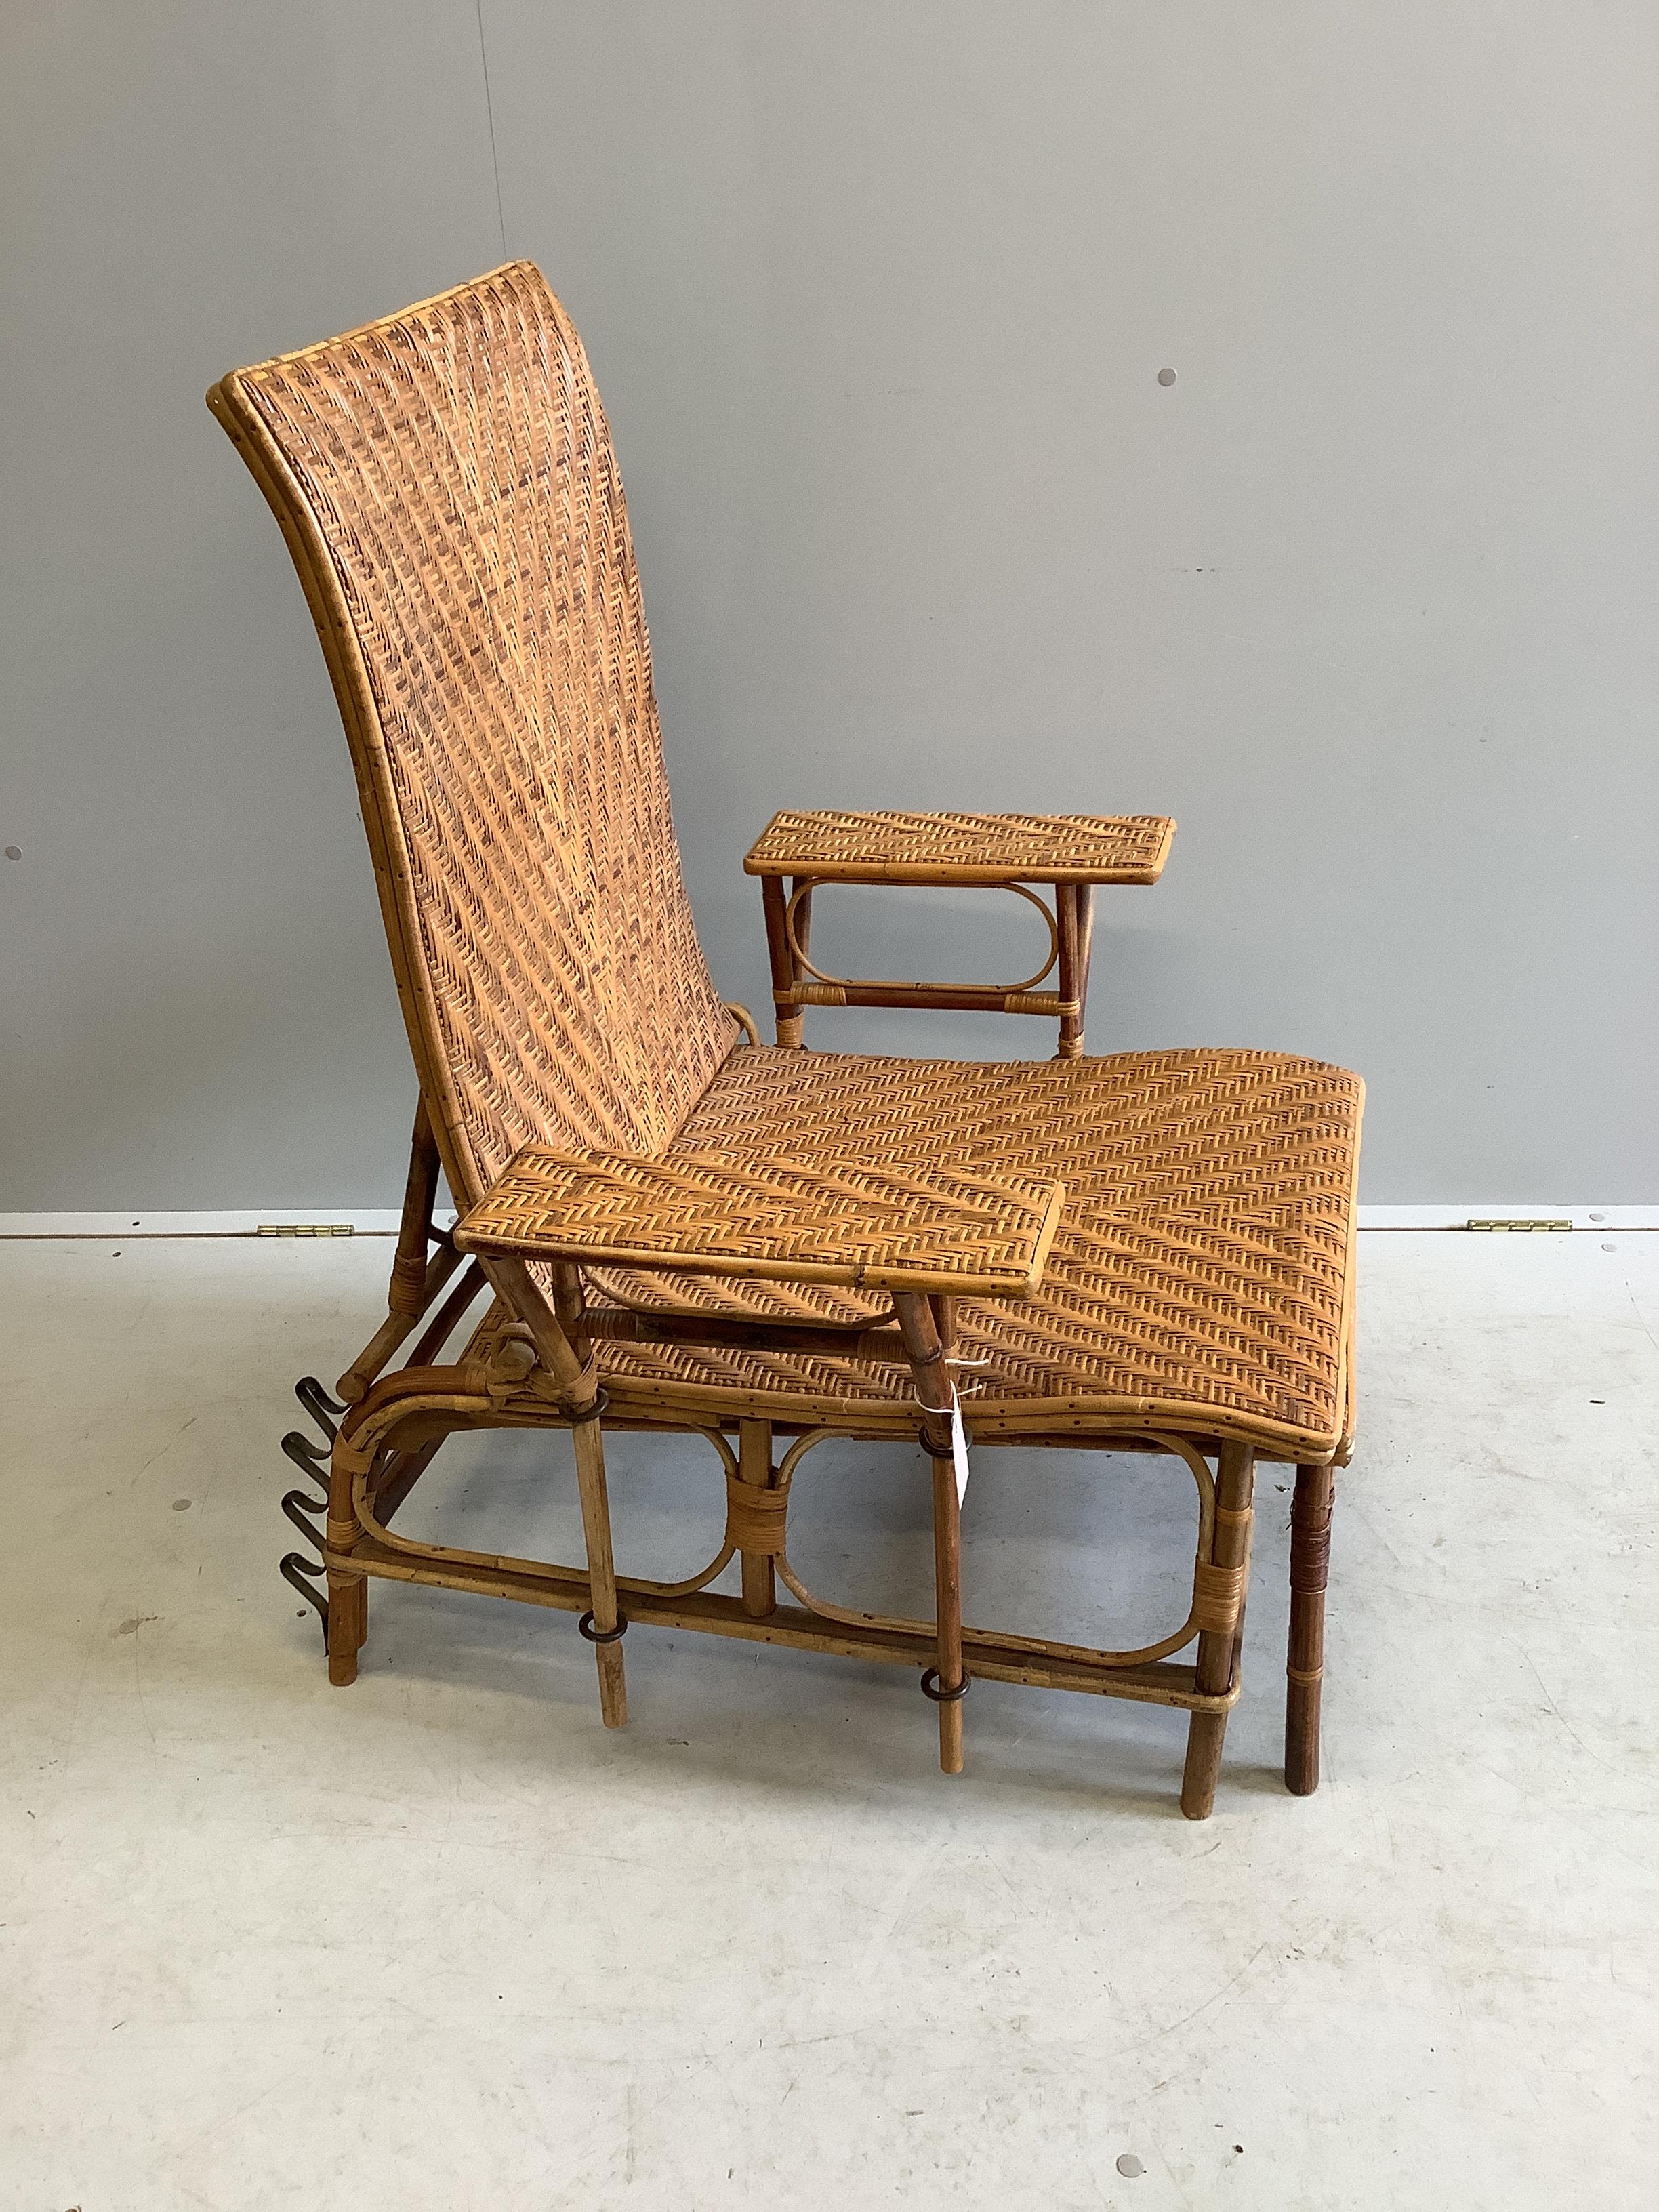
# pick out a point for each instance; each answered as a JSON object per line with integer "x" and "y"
{"x": 824, "y": 1222}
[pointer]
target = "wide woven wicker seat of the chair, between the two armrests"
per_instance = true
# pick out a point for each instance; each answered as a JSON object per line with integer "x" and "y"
{"x": 1202, "y": 1260}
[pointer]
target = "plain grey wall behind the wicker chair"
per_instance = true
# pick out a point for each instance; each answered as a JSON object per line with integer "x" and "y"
{"x": 877, "y": 298}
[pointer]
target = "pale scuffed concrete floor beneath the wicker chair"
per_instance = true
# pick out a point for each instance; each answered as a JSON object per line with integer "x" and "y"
{"x": 439, "y": 1941}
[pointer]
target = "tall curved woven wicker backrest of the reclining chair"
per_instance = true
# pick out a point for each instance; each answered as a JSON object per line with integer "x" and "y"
{"x": 448, "y": 492}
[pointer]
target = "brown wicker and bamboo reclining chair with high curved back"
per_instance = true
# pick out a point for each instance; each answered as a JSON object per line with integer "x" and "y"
{"x": 685, "y": 1231}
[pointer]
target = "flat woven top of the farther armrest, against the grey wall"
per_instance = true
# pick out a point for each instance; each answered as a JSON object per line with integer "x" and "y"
{"x": 963, "y": 848}
